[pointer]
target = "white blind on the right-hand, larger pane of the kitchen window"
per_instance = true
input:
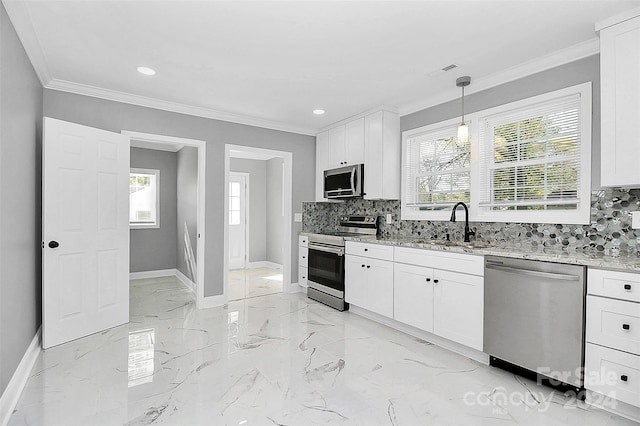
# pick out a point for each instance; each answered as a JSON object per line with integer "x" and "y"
{"x": 530, "y": 158}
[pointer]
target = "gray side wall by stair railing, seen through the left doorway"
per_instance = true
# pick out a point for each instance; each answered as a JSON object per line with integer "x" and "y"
{"x": 187, "y": 181}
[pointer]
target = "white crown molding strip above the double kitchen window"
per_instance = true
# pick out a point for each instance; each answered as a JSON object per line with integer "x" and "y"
{"x": 543, "y": 63}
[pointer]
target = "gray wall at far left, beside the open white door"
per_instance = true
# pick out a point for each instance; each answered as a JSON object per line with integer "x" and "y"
{"x": 20, "y": 207}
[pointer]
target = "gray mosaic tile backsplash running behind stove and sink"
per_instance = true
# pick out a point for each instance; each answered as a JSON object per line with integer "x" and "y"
{"x": 609, "y": 232}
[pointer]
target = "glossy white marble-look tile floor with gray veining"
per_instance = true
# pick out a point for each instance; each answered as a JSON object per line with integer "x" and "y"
{"x": 273, "y": 360}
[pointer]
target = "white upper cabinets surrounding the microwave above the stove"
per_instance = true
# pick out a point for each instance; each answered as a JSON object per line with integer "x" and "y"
{"x": 371, "y": 139}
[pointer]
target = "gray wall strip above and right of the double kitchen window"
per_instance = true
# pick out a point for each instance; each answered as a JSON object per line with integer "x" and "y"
{"x": 581, "y": 71}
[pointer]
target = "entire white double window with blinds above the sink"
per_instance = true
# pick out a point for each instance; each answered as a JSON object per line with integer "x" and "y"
{"x": 527, "y": 161}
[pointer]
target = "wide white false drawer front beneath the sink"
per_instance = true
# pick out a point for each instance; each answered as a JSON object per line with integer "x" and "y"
{"x": 456, "y": 262}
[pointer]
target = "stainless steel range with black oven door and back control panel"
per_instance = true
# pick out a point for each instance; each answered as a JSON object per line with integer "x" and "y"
{"x": 326, "y": 259}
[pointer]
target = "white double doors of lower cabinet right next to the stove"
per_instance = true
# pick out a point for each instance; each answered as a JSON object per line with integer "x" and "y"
{"x": 369, "y": 284}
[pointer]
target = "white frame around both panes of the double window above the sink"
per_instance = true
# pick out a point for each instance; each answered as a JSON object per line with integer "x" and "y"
{"x": 579, "y": 216}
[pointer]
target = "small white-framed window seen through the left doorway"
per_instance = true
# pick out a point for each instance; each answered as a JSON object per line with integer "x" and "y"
{"x": 144, "y": 198}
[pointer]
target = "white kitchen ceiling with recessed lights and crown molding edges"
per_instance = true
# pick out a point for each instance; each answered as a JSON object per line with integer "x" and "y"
{"x": 271, "y": 63}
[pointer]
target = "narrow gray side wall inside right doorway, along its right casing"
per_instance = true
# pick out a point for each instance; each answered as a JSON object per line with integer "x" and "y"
{"x": 274, "y": 211}
